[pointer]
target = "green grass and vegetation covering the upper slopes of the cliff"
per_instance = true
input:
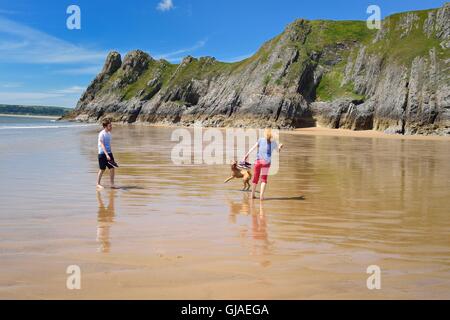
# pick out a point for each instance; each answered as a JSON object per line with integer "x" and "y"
{"x": 320, "y": 42}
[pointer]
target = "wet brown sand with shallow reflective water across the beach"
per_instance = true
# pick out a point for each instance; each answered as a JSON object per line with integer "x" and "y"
{"x": 337, "y": 206}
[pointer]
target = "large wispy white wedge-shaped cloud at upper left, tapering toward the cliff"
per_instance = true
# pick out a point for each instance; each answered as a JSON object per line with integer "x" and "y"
{"x": 27, "y": 45}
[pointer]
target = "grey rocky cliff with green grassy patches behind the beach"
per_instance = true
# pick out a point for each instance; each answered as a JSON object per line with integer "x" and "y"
{"x": 338, "y": 74}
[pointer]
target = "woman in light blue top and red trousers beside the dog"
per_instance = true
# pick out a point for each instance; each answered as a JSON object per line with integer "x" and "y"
{"x": 265, "y": 147}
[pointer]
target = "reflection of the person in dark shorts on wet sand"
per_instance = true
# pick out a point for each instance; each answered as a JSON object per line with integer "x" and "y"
{"x": 105, "y": 219}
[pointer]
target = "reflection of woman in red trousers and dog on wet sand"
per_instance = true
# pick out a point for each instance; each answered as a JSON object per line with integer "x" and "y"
{"x": 257, "y": 231}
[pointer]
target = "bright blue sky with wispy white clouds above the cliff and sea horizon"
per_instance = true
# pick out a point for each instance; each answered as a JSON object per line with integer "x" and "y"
{"x": 43, "y": 62}
